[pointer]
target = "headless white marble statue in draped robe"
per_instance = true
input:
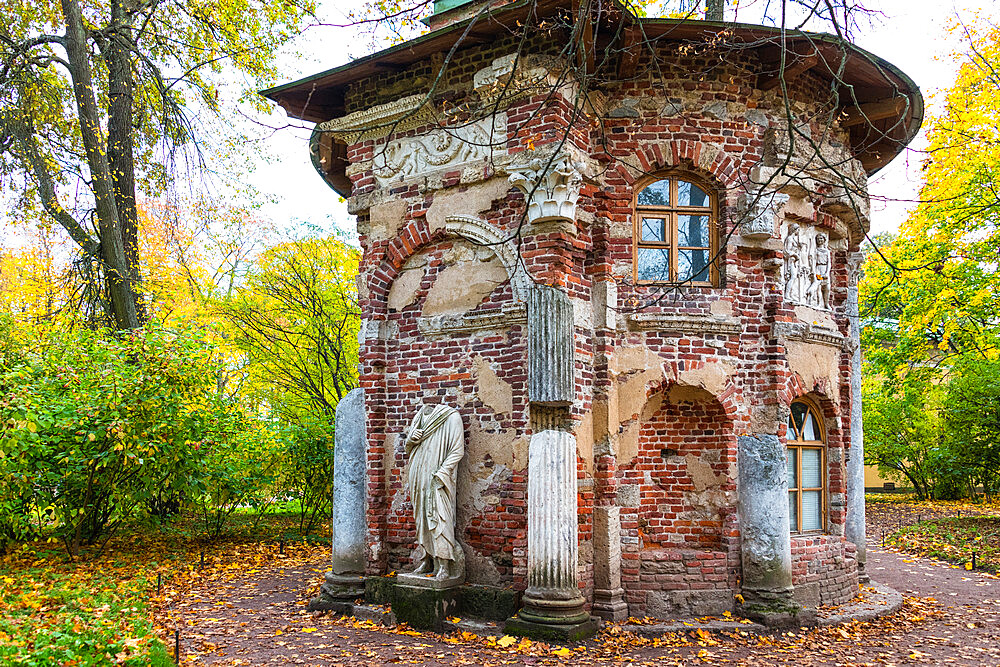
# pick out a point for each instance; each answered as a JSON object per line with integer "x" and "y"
{"x": 435, "y": 443}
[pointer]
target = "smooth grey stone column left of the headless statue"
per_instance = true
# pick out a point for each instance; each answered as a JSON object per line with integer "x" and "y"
{"x": 345, "y": 582}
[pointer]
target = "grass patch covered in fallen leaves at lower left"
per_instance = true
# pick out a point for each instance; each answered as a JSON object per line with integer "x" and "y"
{"x": 99, "y": 610}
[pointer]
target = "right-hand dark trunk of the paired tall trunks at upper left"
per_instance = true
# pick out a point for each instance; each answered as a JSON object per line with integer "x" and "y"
{"x": 121, "y": 95}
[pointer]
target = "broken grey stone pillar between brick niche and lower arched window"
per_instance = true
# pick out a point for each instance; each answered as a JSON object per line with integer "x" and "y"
{"x": 764, "y": 523}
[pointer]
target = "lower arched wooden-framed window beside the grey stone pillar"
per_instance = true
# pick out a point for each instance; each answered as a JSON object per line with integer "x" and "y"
{"x": 806, "y": 460}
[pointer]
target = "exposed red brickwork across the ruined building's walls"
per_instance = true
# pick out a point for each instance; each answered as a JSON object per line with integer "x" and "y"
{"x": 666, "y": 544}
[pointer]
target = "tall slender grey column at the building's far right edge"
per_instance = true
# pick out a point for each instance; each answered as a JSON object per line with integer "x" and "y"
{"x": 855, "y": 529}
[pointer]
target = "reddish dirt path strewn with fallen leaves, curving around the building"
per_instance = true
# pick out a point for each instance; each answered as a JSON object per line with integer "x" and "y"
{"x": 261, "y": 620}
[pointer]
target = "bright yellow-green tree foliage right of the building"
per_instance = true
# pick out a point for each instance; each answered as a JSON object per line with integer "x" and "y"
{"x": 931, "y": 300}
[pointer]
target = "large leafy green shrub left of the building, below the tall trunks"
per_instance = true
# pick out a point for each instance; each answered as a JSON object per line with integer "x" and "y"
{"x": 96, "y": 428}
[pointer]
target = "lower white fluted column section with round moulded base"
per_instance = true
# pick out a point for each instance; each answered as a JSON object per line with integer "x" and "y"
{"x": 553, "y": 606}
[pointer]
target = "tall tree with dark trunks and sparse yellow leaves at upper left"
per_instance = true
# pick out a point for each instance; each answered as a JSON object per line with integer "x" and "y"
{"x": 95, "y": 100}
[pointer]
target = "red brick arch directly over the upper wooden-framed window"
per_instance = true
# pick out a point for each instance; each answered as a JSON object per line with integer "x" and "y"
{"x": 702, "y": 158}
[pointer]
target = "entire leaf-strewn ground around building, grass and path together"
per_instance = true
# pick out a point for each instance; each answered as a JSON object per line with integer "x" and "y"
{"x": 247, "y": 606}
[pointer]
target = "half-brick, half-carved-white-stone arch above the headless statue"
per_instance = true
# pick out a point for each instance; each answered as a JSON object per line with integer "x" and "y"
{"x": 416, "y": 234}
